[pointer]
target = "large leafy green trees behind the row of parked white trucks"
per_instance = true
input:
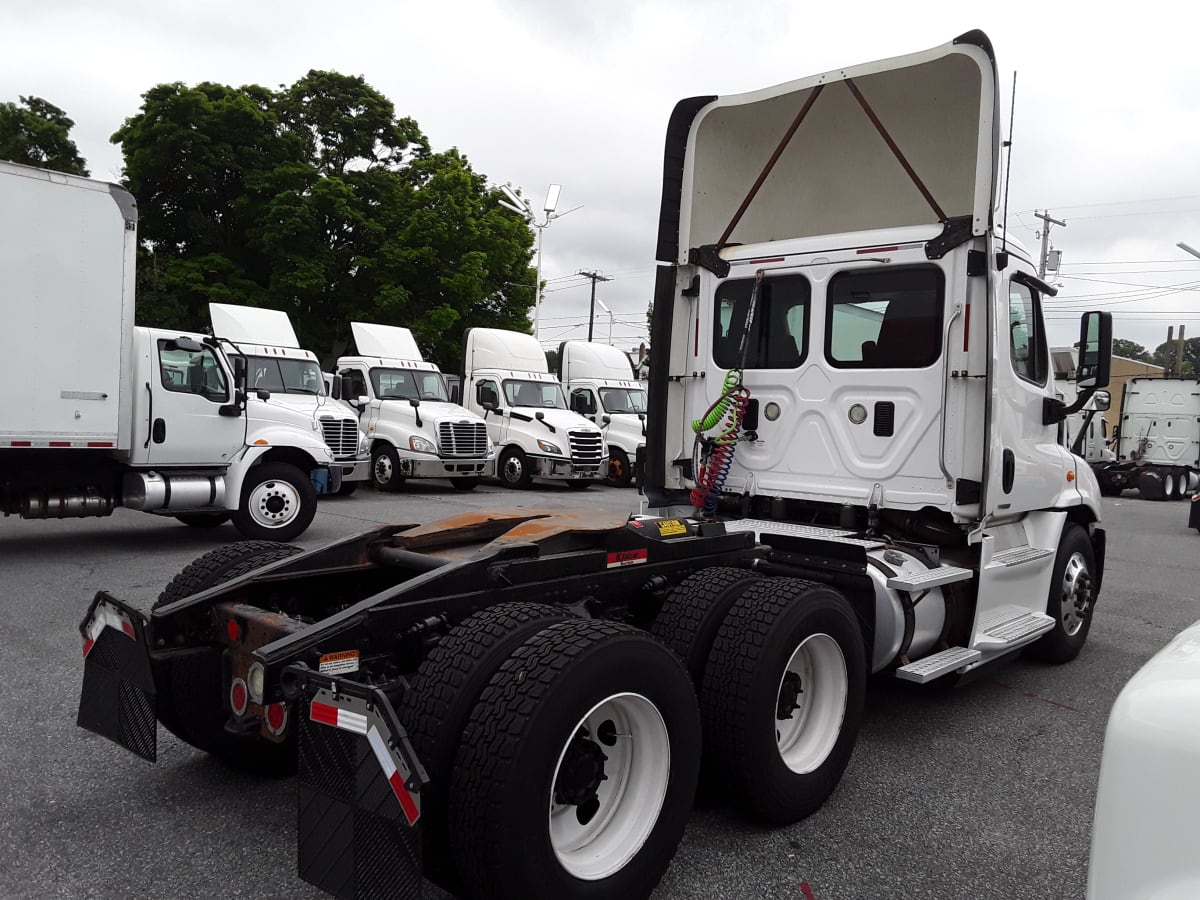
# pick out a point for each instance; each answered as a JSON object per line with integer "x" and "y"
{"x": 319, "y": 201}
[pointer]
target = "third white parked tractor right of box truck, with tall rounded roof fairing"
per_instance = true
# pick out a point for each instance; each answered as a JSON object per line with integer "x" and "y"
{"x": 507, "y": 380}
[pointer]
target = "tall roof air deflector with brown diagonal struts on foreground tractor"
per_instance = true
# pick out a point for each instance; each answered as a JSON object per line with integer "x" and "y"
{"x": 903, "y": 142}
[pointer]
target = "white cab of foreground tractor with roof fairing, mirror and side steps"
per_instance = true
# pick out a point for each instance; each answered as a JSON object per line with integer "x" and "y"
{"x": 847, "y": 338}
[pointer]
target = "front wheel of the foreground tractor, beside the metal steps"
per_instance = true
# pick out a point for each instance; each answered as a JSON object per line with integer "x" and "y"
{"x": 1073, "y": 589}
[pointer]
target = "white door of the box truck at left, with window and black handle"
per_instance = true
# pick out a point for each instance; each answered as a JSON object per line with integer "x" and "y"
{"x": 184, "y": 425}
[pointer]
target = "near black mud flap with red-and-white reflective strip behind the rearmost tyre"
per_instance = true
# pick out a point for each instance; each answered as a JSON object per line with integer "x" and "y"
{"x": 359, "y": 793}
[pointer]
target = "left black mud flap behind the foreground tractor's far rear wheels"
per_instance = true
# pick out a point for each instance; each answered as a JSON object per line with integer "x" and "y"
{"x": 118, "y": 697}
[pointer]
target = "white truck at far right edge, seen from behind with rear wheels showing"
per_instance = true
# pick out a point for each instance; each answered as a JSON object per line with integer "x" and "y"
{"x": 1159, "y": 440}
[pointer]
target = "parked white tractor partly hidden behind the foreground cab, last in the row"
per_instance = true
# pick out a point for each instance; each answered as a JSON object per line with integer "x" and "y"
{"x": 601, "y": 387}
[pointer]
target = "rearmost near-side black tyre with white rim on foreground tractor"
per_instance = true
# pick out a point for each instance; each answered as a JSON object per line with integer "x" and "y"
{"x": 577, "y": 772}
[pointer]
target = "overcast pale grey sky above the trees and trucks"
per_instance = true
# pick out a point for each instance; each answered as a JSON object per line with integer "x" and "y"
{"x": 1107, "y": 125}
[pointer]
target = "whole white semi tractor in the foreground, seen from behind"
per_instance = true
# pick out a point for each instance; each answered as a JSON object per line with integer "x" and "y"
{"x": 854, "y": 465}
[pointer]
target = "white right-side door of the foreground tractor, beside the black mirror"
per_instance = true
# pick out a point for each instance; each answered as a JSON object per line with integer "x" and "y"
{"x": 1027, "y": 465}
